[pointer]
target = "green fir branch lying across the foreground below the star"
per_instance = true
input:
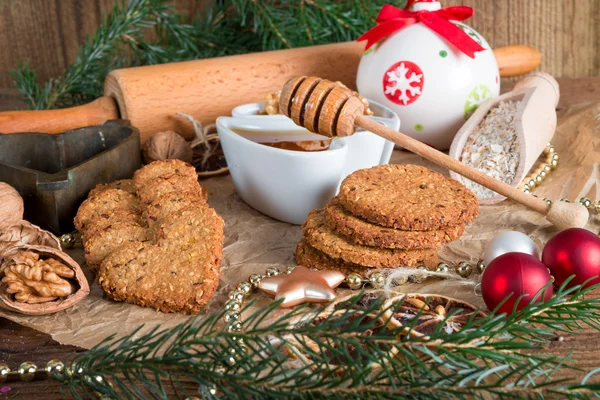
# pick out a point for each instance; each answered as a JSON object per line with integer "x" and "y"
{"x": 335, "y": 359}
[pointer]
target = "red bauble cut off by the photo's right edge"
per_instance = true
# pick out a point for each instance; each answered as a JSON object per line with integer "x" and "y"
{"x": 576, "y": 252}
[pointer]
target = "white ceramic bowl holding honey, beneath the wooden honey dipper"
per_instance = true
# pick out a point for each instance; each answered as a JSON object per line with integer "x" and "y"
{"x": 284, "y": 171}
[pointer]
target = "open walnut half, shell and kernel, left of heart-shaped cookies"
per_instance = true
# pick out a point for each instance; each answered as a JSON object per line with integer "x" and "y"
{"x": 38, "y": 280}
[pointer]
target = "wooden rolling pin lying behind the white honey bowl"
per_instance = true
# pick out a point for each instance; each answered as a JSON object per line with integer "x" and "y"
{"x": 149, "y": 96}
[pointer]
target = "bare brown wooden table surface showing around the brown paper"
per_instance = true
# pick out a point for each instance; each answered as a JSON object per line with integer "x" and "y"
{"x": 19, "y": 344}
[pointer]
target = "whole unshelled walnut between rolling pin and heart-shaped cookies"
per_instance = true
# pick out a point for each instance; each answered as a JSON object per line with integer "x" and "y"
{"x": 167, "y": 145}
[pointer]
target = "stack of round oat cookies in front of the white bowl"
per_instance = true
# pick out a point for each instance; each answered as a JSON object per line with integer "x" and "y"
{"x": 386, "y": 217}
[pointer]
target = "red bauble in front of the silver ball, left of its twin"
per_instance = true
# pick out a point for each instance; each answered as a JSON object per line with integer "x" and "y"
{"x": 516, "y": 273}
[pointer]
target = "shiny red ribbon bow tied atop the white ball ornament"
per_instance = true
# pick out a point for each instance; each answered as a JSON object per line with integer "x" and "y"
{"x": 392, "y": 19}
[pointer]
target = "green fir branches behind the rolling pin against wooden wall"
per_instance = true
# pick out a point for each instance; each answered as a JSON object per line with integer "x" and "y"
{"x": 228, "y": 27}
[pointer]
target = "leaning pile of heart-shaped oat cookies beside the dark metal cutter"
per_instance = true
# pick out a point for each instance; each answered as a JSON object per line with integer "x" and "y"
{"x": 154, "y": 240}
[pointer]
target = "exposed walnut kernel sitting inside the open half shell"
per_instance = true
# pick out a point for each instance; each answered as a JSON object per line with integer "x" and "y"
{"x": 32, "y": 280}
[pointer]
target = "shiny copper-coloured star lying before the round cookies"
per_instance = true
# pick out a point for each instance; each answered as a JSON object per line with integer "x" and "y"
{"x": 302, "y": 285}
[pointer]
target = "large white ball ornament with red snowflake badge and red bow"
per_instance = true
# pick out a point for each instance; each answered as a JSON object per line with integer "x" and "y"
{"x": 428, "y": 67}
